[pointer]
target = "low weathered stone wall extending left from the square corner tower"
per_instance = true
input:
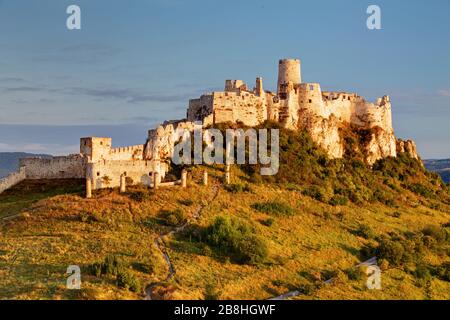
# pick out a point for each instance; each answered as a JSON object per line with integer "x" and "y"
{"x": 67, "y": 167}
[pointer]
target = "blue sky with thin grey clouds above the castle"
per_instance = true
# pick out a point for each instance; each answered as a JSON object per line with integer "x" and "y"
{"x": 136, "y": 63}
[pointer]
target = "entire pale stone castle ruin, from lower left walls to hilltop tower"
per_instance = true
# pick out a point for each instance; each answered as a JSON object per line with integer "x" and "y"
{"x": 296, "y": 105}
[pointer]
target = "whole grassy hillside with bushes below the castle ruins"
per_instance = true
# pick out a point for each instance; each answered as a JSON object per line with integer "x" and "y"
{"x": 254, "y": 239}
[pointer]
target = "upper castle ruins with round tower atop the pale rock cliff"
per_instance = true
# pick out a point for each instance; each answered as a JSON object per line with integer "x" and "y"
{"x": 296, "y": 105}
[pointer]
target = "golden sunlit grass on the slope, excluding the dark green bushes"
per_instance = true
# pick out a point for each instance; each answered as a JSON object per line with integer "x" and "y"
{"x": 51, "y": 232}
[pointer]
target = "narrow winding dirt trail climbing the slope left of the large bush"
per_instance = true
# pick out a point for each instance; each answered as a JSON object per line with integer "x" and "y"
{"x": 159, "y": 242}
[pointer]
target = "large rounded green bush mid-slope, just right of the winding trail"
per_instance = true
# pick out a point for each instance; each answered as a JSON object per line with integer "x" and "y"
{"x": 237, "y": 240}
